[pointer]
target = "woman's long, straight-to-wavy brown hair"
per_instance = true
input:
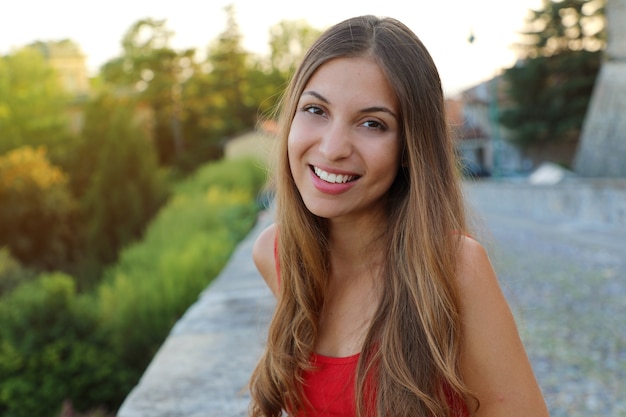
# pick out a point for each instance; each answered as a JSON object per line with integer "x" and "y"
{"x": 411, "y": 352}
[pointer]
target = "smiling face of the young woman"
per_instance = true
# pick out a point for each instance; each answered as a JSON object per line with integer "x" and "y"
{"x": 344, "y": 144}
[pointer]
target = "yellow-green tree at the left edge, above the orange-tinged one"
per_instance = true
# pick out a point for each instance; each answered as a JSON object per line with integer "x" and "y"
{"x": 32, "y": 102}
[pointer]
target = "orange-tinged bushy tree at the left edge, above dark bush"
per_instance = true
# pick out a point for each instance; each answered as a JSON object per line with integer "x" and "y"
{"x": 37, "y": 209}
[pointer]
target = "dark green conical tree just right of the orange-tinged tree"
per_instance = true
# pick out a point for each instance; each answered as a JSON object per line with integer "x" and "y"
{"x": 117, "y": 179}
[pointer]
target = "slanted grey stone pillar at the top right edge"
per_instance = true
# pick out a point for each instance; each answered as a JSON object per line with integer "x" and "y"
{"x": 602, "y": 148}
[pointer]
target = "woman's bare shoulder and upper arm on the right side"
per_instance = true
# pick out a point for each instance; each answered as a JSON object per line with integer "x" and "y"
{"x": 493, "y": 362}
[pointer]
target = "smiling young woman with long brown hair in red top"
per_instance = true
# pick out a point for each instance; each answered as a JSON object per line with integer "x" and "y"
{"x": 385, "y": 306}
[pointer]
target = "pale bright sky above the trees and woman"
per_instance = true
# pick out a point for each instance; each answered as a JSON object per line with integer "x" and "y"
{"x": 444, "y": 26}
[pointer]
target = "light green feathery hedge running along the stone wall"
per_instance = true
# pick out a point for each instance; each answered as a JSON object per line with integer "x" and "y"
{"x": 185, "y": 247}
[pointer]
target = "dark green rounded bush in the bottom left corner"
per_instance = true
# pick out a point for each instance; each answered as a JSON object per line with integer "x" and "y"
{"x": 51, "y": 351}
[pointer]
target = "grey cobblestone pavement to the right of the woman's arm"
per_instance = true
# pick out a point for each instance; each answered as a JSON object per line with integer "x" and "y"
{"x": 566, "y": 283}
